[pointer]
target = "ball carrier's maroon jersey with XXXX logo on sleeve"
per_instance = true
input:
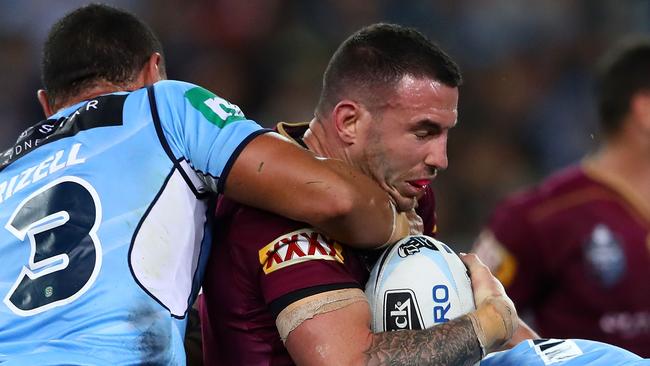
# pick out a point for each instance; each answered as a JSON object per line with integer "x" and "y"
{"x": 259, "y": 264}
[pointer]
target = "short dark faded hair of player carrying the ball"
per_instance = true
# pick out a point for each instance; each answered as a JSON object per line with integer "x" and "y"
{"x": 379, "y": 56}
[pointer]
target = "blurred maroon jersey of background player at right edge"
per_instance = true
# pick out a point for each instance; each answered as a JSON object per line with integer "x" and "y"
{"x": 576, "y": 252}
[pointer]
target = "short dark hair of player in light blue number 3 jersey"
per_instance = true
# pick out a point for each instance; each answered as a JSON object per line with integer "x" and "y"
{"x": 95, "y": 43}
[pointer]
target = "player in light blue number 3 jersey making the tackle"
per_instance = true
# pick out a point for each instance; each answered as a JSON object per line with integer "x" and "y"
{"x": 104, "y": 202}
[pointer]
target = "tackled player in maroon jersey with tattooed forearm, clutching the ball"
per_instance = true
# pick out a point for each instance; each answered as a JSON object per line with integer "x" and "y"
{"x": 388, "y": 101}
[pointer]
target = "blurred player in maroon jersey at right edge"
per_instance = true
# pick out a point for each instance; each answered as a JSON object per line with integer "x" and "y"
{"x": 575, "y": 250}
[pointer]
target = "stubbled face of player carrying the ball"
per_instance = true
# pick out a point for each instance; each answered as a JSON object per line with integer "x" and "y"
{"x": 405, "y": 140}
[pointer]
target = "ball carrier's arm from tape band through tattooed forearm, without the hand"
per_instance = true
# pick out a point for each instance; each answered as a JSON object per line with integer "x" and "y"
{"x": 343, "y": 337}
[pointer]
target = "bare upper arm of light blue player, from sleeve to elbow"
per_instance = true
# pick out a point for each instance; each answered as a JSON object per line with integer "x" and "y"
{"x": 276, "y": 175}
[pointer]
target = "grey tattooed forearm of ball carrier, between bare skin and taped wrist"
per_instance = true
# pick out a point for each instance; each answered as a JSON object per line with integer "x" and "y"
{"x": 452, "y": 343}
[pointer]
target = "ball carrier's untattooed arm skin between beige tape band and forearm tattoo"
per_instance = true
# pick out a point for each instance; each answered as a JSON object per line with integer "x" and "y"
{"x": 335, "y": 337}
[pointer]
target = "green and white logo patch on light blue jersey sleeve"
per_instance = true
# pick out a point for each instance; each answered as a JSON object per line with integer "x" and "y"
{"x": 215, "y": 109}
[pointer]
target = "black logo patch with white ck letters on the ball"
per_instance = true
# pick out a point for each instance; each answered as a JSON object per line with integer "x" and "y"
{"x": 401, "y": 310}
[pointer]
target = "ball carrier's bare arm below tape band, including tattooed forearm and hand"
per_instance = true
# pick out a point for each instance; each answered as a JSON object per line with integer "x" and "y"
{"x": 344, "y": 337}
